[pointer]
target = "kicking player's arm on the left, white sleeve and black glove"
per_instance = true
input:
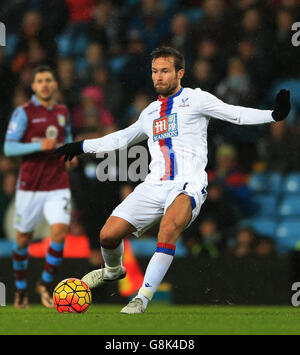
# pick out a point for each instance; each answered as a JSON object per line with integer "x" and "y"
{"x": 113, "y": 141}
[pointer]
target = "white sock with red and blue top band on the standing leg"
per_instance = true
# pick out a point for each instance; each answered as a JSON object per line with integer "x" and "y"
{"x": 156, "y": 271}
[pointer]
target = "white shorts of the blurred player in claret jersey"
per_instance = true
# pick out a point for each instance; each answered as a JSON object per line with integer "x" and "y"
{"x": 31, "y": 205}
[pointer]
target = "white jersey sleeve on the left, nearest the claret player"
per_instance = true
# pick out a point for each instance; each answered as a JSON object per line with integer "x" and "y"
{"x": 116, "y": 140}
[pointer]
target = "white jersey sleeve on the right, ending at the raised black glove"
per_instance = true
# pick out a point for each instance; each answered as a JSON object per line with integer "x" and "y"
{"x": 211, "y": 106}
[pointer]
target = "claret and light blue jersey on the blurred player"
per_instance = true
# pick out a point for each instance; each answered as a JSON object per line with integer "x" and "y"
{"x": 28, "y": 126}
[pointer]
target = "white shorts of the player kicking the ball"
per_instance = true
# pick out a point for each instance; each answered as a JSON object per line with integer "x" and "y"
{"x": 147, "y": 204}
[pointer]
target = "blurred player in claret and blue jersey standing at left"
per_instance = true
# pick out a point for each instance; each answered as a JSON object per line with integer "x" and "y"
{"x": 34, "y": 131}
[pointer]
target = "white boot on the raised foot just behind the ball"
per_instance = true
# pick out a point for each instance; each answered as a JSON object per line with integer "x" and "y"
{"x": 98, "y": 277}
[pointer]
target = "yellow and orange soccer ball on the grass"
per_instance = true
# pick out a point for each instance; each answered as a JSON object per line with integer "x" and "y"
{"x": 72, "y": 295}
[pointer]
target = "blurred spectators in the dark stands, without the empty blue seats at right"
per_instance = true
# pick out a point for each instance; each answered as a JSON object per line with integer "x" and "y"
{"x": 239, "y": 50}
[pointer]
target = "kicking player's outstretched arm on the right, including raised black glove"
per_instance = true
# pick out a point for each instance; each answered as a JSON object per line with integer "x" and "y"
{"x": 213, "y": 107}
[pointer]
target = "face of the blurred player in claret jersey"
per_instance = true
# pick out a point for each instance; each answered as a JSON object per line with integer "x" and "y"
{"x": 44, "y": 86}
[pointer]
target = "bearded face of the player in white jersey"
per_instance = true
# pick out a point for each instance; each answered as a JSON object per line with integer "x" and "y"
{"x": 165, "y": 78}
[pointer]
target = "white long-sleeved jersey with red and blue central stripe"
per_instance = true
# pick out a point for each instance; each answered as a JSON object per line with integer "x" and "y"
{"x": 176, "y": 129}
